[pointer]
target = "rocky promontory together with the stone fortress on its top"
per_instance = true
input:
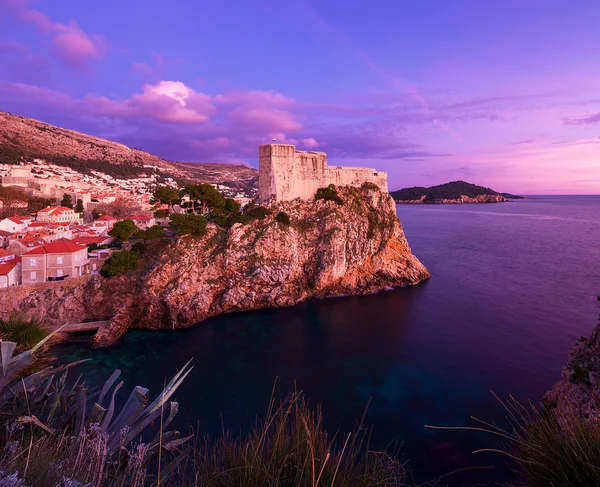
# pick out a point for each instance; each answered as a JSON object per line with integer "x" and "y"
{"x": 331, "y": 240}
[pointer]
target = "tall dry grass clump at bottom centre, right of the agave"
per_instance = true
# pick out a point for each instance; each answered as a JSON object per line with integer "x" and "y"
{"x": 290, "y": 448}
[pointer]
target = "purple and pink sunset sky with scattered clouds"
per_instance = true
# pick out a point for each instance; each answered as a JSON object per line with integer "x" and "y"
{"x": 500, "y": 93}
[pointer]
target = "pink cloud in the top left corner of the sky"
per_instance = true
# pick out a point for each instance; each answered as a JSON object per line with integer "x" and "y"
{"x": 69, "y": 43}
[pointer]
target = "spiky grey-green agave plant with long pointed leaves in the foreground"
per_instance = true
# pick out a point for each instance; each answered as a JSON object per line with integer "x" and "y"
{"x": 51, "y": 406}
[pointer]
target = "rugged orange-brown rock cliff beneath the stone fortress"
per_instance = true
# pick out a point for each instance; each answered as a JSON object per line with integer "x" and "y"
{"x": 328, "y": 249}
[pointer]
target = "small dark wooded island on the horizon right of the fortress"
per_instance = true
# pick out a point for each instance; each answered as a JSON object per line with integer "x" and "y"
{"x": 451, "y": 193}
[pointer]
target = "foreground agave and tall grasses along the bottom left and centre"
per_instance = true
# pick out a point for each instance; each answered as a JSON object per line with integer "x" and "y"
{"x": 57, "y": 433}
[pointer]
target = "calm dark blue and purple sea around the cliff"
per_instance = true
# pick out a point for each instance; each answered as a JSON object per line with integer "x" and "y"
{"x": 513, "y": 285}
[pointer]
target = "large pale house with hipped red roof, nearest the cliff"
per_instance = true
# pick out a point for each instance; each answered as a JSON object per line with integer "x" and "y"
{"x": 55, "y": 261}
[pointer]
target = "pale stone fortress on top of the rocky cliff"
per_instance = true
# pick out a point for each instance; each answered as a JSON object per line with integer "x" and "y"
{"x": 286, "y": 174}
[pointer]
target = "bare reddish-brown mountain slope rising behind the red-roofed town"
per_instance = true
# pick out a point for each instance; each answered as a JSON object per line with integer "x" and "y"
{"x": 26, "y": 138}
